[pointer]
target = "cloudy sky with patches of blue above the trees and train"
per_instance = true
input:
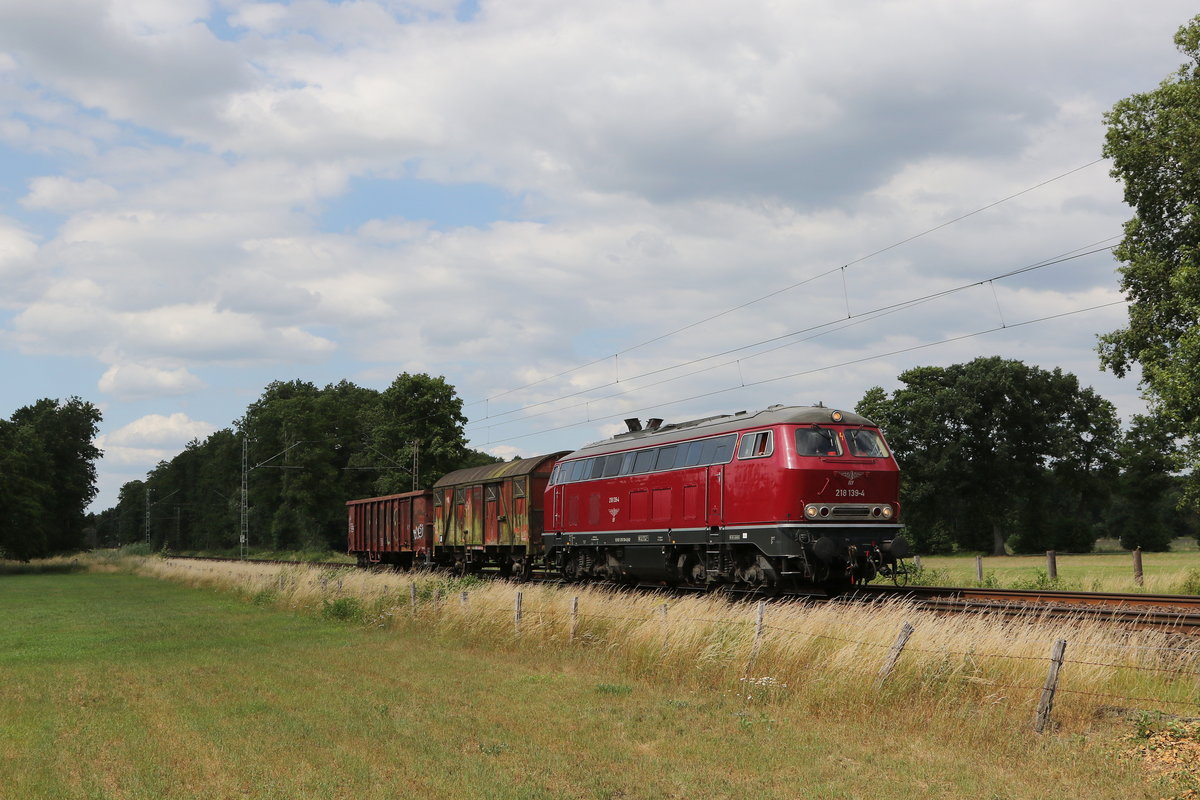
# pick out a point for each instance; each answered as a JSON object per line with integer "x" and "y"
{"x": 575, "y": 212}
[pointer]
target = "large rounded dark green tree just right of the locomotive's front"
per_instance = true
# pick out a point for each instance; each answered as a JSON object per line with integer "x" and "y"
{"x": 995, "y": 453}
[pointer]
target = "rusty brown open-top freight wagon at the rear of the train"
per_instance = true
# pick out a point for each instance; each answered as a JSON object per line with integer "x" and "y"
{"x": 397, "y": 530}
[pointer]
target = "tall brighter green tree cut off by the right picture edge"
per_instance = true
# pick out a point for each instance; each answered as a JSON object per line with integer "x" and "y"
{"x": 1153, "y": 141}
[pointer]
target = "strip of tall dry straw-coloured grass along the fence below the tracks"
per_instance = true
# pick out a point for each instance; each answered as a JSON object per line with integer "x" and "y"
{"x": 825, "y": 654}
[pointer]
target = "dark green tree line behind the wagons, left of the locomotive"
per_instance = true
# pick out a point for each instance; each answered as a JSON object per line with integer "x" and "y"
{"x": 308, "y": 452}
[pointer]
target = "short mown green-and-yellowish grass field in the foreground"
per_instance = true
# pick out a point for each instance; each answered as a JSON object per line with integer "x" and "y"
{"x": 122, "y": 687}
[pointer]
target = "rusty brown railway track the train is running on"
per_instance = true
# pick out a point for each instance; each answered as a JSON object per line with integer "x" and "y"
{"x": 1179, "y": 613}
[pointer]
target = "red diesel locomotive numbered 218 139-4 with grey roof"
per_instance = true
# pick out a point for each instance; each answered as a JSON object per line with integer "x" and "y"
{"x": 788, "y": 496}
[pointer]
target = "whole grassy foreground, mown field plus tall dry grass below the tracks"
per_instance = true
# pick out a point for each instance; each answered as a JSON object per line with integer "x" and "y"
{"x": 117, "y": 687}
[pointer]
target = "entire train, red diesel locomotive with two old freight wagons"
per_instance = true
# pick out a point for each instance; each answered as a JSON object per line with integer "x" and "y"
{"x": 784, "y": 498}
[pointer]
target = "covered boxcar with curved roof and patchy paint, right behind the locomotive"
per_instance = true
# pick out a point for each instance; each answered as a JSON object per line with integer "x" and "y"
{"x": 491, "y": 516}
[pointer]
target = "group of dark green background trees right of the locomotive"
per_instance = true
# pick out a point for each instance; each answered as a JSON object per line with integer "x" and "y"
{"x": 1000, "y": 456}
